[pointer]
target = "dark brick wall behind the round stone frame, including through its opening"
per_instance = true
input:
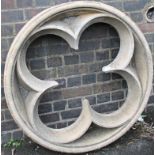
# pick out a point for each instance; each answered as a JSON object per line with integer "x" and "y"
{"x": 79, "y": 72}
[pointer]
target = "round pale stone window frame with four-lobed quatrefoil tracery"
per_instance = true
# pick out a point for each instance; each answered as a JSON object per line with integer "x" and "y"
{"x": 133, "y": 62}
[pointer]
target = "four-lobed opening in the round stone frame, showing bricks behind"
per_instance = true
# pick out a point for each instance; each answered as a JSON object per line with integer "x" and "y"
{"x": 79, "y": 73}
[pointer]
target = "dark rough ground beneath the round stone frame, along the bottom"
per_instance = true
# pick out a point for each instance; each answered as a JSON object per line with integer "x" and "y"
{"x": 138, "y": 141}
